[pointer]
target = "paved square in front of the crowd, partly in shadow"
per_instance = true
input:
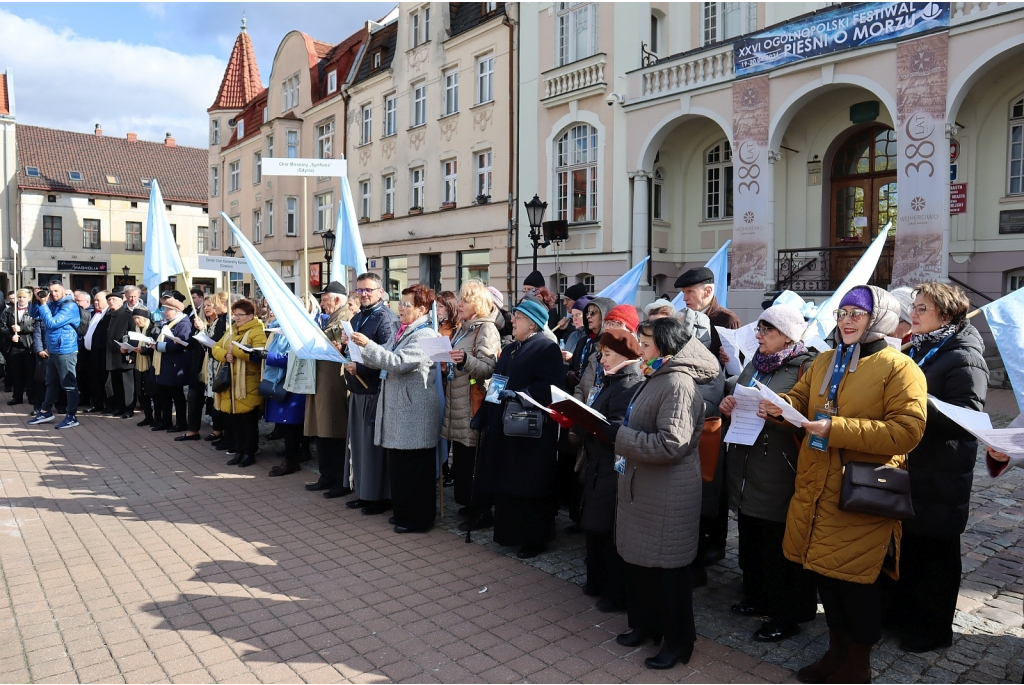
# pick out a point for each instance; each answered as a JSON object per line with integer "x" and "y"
{"x": 129, "y": 558}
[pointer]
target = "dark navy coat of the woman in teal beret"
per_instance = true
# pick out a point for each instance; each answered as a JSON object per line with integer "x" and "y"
{"x": 522, "y": 466}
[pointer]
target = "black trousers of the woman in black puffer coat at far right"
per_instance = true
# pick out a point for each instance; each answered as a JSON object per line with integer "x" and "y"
{"x": 929, "y": 584}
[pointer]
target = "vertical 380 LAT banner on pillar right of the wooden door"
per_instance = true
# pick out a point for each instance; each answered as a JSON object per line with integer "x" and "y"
{"x": 923, "y": 175}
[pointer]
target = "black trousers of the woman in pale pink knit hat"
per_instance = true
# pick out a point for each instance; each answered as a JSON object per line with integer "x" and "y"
{"x": 777, "y": 586}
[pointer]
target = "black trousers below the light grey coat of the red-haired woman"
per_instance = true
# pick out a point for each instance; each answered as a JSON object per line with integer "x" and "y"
{"x": 413, "y": 487}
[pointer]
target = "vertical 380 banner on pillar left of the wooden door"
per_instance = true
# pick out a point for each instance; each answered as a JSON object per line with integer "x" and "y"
{"x": 750, "y": 195}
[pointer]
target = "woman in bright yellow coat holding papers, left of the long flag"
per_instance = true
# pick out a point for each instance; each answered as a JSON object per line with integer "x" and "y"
{"x": 242, "y": 402}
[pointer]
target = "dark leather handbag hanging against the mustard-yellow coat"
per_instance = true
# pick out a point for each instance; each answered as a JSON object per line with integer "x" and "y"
{"x": 877, "y": 490}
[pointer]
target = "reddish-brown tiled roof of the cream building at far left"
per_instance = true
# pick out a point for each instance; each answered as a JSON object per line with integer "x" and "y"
{"x": 182, "y": 172}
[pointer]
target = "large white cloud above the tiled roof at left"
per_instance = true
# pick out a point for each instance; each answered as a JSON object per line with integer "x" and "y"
{"x": 65, "y": 81}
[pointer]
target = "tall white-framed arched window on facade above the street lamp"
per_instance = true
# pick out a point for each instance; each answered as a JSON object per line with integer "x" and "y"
{"x": 576, "y": 174}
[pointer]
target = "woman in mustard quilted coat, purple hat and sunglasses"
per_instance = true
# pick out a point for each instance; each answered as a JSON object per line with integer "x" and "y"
{"x": 865, "y": 402}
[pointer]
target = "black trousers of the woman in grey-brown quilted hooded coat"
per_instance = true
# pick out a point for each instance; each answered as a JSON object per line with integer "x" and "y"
{"x": 662, "y": 604}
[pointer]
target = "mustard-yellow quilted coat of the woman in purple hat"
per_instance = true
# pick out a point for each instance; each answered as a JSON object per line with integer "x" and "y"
{"x": 882, "y": 406}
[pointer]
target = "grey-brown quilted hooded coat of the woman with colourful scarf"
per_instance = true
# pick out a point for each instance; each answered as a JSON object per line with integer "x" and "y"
{"x": 658, "y": 511}
